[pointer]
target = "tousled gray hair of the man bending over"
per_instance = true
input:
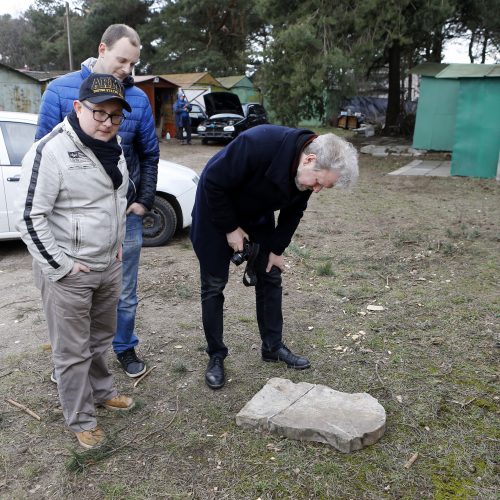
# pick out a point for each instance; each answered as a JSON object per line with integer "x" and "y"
{"x": 334, "y": 153}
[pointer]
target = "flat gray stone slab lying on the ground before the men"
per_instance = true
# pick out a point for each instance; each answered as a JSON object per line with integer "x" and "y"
{"x": 313, "y": 412}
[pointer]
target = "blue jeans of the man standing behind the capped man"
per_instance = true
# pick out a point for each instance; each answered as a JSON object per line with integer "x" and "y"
{"x": 127, "y": 305}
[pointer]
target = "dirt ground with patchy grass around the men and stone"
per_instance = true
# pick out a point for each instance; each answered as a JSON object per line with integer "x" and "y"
{"x": 426, "y": 249}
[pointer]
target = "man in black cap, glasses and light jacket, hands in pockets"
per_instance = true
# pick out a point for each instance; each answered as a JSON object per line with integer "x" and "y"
{"x": 72, "y": 203}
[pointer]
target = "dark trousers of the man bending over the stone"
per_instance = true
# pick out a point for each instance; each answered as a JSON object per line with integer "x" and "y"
{"x": 268, "y": 302}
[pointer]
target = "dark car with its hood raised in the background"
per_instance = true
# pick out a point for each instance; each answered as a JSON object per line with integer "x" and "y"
{"x": 227, "y": 117}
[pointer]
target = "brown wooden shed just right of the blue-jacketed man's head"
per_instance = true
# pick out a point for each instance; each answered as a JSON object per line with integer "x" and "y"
{"x": 162, "y": 94}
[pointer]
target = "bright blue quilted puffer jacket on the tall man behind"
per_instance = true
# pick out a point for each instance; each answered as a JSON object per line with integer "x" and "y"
{"x": 139, "y": 140}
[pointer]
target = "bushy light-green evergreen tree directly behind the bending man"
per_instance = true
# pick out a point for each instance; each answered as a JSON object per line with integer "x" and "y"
{"x": 308, "y": 64}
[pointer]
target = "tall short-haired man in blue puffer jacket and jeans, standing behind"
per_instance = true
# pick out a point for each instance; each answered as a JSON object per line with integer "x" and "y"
{"x": 118, "y": 52}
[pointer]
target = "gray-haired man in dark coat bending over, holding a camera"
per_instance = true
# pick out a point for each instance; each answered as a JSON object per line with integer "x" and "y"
{"x": 265, "y": 169}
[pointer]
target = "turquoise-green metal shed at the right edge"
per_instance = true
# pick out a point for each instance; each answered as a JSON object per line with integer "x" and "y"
{"x": 459, "y": 111}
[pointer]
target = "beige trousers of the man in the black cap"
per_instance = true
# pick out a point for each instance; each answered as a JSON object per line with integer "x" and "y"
{"x": 81, "y": 319}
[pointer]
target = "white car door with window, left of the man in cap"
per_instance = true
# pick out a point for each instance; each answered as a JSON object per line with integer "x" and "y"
{"x": 15, "y": 140}
